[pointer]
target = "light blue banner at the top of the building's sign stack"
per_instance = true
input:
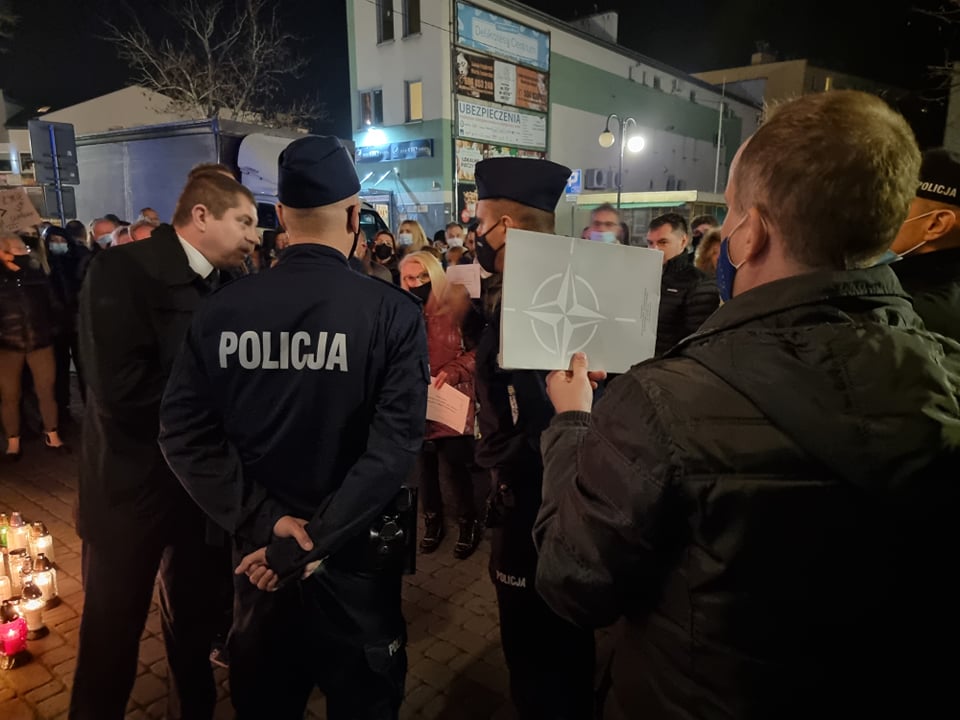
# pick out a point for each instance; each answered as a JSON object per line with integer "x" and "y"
{"x": 490, "y": 33}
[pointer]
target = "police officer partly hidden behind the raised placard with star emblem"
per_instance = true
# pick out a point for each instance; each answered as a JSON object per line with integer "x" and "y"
{"x": 551, "y": 662}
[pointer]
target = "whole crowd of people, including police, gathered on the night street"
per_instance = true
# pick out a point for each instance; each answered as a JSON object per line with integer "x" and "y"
{"x": 765, "y": 506}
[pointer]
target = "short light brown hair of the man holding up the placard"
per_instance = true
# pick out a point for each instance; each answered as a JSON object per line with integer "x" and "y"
{"x": 834, "y": 173}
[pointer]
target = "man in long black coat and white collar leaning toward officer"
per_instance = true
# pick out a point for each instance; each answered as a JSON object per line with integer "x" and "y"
{"x": 133, "y": 516}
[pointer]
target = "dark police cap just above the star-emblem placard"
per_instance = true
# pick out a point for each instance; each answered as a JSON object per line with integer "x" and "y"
{"x": 531, "y": 182}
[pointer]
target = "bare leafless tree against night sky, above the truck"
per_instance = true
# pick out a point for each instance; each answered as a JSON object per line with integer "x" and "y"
{"x": 226, "y": 58}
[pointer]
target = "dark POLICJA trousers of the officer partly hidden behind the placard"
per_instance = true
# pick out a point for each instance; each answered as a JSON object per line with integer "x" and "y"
{"x": 551, "y": 662}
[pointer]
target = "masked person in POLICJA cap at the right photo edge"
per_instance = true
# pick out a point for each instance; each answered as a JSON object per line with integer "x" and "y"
{"x": 929, "y": 244}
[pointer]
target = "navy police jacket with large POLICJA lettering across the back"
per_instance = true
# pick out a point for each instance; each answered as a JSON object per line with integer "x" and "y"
{"x": 299, "y": 391}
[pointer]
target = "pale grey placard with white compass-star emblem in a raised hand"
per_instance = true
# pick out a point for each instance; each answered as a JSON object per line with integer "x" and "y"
{"x": 563, "y": 295}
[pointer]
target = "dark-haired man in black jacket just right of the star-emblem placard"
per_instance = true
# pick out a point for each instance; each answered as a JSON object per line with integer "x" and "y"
{"x": 687, "y": 295}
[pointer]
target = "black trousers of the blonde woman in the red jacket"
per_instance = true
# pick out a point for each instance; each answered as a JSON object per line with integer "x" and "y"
{"x": 447, "y": 460}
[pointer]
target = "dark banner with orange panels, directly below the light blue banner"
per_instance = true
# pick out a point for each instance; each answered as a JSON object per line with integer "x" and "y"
{"x": 484, "y": 78}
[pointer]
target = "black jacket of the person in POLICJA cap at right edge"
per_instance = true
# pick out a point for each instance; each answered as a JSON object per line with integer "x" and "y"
{"x": 933, "y": 280}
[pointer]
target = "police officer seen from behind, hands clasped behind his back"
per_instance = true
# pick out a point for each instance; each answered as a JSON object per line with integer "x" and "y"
{"x": 293, "y": 416}
